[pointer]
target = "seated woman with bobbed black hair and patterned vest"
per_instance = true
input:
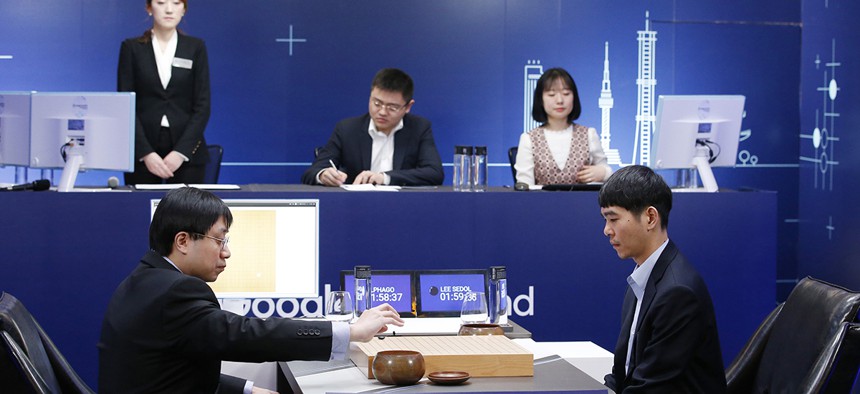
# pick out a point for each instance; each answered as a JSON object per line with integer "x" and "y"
{"x": 559, "y": 151}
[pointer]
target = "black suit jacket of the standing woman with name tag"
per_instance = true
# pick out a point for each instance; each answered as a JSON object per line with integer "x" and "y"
{"x": 185, "y": 101}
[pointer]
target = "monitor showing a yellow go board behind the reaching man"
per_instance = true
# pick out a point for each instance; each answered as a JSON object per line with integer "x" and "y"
{"x": 274, "y": 249}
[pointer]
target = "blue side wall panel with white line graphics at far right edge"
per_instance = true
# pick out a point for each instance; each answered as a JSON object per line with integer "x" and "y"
{"x": 829, "y": 164}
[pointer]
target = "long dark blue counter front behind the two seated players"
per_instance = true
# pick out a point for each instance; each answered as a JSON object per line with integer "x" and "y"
{"x": 66, "y": 252}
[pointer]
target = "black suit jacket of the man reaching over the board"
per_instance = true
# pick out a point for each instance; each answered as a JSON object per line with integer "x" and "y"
{"x": 163, "y": 332}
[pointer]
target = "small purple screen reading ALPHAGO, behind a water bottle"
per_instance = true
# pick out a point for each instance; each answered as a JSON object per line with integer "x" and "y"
{"x": 387, "y": 286}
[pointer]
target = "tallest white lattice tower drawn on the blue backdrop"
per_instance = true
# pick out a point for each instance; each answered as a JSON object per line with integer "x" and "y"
{"x": 645, "y": 83}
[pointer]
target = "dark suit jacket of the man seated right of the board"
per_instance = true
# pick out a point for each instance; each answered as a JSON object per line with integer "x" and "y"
{"x": 676, "y": 348}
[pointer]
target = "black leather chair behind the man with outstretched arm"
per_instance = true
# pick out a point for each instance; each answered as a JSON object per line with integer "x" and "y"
{"x": 29, "y": 361}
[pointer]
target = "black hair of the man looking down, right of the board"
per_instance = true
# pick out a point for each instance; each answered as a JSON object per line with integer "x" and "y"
{"x": 636, "y": 188}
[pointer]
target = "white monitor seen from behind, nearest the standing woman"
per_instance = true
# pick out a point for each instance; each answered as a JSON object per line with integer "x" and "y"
{"x": 79, "y": 131}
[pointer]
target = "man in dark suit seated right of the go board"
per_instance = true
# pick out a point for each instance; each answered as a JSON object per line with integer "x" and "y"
{"x": 668, "y": 341}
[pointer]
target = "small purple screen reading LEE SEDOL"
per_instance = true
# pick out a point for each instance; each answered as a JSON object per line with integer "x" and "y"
{"x": 441, "y": 292}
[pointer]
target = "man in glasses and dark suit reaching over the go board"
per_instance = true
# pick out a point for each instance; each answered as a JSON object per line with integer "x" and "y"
{"x": 164, "y": 332}
